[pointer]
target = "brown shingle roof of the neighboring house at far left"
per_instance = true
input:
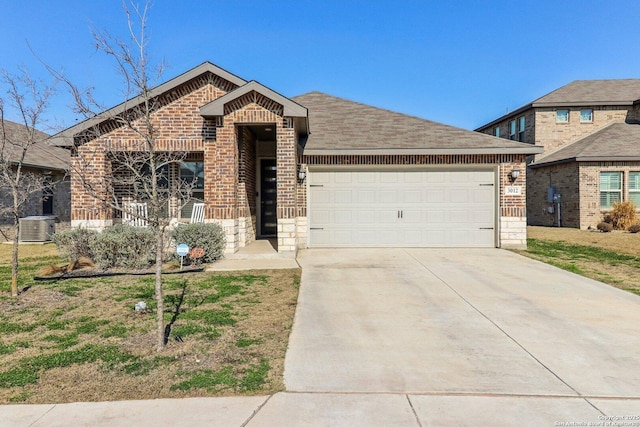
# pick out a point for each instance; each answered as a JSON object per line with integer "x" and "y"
{"x": 41, "y": 155}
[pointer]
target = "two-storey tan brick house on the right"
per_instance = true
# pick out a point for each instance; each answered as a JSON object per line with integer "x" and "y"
{"x": 590, "y": 132}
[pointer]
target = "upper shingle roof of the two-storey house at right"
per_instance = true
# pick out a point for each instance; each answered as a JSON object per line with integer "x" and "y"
{"x": 582, "y": 93}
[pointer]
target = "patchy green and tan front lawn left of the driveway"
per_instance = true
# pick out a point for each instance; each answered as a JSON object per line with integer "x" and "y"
{"x": 81, "y": 340}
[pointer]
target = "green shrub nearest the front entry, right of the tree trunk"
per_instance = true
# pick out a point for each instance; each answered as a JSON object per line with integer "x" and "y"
{"x": 209, "y": 237}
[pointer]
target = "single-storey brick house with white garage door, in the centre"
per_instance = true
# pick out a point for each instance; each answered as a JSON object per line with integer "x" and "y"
{"x": 320, "y": 171}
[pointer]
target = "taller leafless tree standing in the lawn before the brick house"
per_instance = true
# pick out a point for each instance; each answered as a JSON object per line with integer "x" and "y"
{"x": 138, "y": 169}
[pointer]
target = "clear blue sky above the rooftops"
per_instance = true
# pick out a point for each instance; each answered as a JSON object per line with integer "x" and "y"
{"x": 463, "y": 63}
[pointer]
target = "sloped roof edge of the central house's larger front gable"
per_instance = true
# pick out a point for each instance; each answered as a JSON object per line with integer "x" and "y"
{"x": 65, "y": 138}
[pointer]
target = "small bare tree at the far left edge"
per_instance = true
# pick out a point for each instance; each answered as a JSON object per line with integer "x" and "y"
{"x": 28, "y": 98}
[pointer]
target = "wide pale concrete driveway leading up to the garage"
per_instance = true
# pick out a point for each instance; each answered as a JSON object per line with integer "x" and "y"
{"x": 461, "y": 322}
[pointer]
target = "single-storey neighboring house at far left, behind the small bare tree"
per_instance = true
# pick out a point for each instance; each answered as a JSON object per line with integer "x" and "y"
{"x": 47, "y": 160}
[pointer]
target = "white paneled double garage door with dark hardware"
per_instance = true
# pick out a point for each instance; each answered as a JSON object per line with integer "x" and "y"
{"x": 443, "y": 208}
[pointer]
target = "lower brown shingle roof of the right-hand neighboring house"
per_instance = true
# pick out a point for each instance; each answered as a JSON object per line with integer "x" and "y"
{"x": 622, "y": 144}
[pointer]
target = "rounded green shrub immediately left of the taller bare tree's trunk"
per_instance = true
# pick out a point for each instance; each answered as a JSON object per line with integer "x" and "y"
{"x": 124, "y": 246}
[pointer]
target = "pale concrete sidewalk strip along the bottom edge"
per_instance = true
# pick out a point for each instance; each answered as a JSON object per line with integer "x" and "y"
{"x": 331, "y": 409}
